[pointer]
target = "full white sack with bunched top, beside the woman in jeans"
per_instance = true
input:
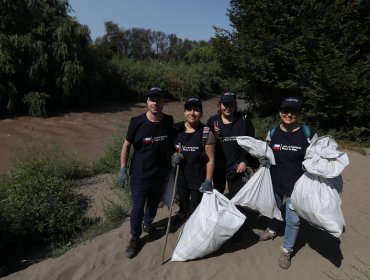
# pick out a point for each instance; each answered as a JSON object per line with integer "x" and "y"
{"x": 316, "y": 195}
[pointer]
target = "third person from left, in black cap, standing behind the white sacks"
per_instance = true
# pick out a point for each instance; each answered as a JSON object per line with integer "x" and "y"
{"x": 231, "y": 159}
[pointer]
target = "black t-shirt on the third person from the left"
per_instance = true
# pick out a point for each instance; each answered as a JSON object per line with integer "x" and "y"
{"x": 228, "y": 152}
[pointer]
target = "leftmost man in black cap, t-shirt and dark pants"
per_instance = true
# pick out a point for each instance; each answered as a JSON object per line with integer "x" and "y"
{"x": 150, "y": 134}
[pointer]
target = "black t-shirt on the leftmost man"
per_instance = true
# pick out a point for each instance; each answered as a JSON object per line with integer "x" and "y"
{"x": 152, "y": 142}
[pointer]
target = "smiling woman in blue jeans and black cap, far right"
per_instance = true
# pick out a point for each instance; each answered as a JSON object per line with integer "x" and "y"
{"x": 289, "y": 141}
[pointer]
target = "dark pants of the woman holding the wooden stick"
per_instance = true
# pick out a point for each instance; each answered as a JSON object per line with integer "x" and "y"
{"x": 186, "y": 205}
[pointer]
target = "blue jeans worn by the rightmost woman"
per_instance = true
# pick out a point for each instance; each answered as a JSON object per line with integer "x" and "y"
{"x": 291, "y": 222}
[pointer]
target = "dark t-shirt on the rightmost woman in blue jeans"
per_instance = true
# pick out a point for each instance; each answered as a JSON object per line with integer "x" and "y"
{"x": 289, "y": 150}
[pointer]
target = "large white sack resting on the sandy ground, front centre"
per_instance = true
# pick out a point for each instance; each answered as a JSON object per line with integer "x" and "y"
{"x": 215, "y": 220}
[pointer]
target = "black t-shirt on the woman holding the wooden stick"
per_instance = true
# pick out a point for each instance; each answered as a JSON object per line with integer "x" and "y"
{"x": 192, "y": 171}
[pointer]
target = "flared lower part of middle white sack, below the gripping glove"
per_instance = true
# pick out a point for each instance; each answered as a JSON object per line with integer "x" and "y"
{"x": 257, "y": 194}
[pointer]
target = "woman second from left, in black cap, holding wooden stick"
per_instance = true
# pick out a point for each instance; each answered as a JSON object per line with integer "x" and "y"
{"x": 196, "y": 158}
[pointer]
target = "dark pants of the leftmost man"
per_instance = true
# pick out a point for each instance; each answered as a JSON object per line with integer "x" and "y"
{"x": 146, "y": 197}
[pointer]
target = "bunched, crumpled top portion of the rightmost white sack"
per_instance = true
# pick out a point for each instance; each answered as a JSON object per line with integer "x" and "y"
{"x": 322, "y": 158}
